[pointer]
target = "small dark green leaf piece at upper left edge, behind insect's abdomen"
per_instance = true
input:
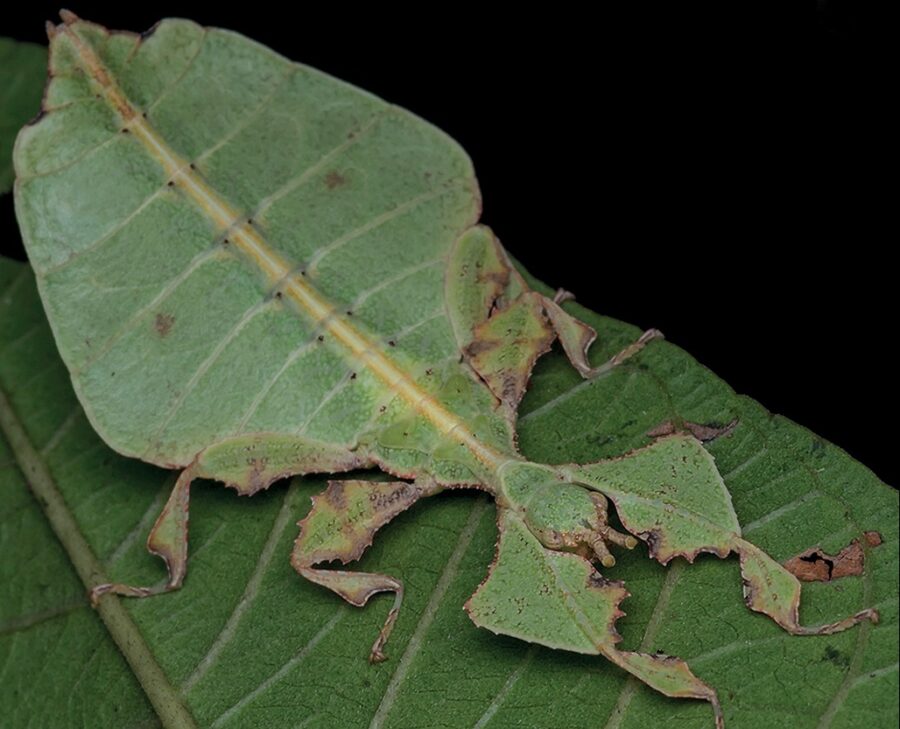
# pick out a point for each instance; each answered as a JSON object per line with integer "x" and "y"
{"x": 23, "y": 68}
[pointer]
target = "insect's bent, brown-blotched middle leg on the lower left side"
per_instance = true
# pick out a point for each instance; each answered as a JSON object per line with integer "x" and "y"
{"x": 340, "y": 526}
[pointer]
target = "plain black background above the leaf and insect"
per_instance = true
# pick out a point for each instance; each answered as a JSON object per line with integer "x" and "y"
{"x": 714, "y": 174}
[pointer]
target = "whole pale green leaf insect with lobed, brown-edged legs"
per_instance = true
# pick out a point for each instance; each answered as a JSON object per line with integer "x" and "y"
{"x": 253, "y": 270}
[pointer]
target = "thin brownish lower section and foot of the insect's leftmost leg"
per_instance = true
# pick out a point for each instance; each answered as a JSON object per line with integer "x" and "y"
{"x": 168, "y": 539}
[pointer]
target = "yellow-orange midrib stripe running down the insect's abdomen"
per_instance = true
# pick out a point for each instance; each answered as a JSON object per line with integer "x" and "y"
{"x": 254, "y": 247}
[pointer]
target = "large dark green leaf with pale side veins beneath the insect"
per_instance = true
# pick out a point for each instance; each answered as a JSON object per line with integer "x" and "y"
{"x": 251, "y": 644}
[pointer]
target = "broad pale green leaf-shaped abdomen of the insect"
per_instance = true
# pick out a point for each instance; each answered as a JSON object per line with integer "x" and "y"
{"x": 210, "y": 222}
